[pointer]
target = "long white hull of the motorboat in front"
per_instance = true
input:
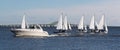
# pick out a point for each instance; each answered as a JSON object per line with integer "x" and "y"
{"x": 29, "y": 32}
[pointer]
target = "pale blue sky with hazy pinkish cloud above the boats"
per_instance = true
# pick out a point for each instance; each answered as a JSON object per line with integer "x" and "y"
{"x": 48, "y": 11}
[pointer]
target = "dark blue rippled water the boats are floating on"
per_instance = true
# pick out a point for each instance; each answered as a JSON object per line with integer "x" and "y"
{"x": 111, "y": 41}
